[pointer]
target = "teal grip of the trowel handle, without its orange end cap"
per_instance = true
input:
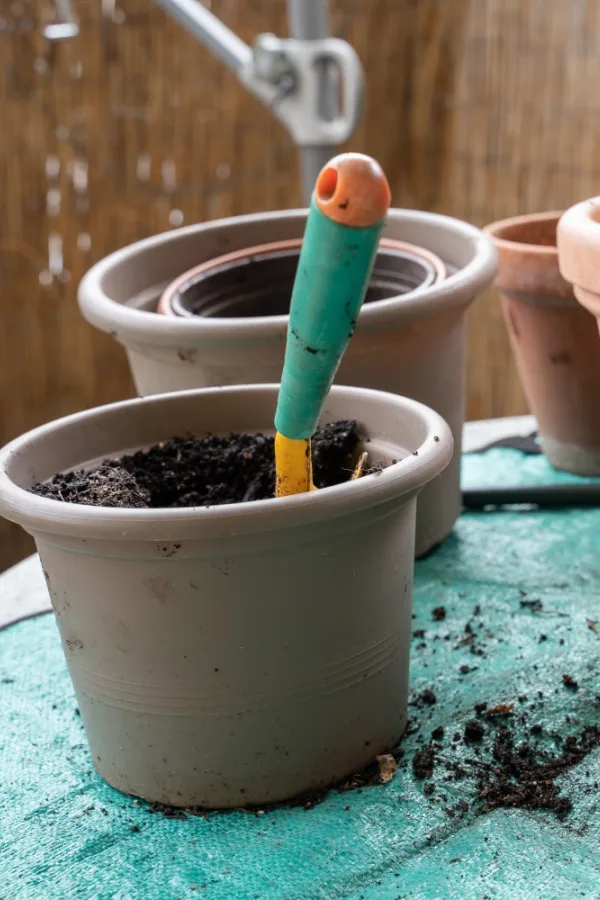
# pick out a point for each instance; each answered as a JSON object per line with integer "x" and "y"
{"x": 331, "y": 281}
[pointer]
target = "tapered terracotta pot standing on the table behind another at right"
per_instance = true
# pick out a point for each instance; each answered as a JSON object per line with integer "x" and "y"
{"x": 556, "y": 346}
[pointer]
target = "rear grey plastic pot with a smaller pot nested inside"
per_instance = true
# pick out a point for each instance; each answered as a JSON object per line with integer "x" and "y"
{"x": 412, "y": 345}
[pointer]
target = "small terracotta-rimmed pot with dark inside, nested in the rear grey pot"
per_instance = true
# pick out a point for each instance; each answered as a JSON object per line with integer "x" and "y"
{"x": 258, "y": 281}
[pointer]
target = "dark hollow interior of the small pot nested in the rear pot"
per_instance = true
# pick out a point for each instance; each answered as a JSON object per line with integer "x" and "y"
{"x": 261, "y": 285}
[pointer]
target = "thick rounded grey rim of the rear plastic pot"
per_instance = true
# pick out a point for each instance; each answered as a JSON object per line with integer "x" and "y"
{"x": 139, "y": 327}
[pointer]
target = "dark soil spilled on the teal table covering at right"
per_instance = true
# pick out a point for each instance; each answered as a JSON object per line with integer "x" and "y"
{"x": 502, "y": 755}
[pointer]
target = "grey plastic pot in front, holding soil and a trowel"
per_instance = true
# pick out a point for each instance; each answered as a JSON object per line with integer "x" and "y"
{"x": 238, "y": 654}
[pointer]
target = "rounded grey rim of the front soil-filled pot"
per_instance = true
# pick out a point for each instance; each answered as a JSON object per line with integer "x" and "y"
{"x": 44, "y": 515}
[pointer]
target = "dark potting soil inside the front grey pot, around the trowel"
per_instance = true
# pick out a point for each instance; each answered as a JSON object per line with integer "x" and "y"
{"x": 213, "y": 471}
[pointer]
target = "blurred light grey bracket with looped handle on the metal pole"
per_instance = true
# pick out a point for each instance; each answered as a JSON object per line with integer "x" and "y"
{"x": 287, "y": 75}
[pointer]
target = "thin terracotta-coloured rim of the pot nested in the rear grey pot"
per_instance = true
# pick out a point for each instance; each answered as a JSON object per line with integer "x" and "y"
{"x": 179, "y": 284}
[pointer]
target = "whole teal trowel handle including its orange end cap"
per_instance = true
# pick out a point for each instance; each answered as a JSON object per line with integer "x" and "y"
{"x": 345, "y": 221}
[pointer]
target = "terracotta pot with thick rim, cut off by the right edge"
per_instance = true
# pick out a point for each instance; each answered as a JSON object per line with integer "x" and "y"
{"x": 579, "y": 252}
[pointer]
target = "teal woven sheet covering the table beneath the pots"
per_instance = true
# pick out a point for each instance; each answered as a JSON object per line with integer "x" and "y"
{"x": 65, "y": 834}
